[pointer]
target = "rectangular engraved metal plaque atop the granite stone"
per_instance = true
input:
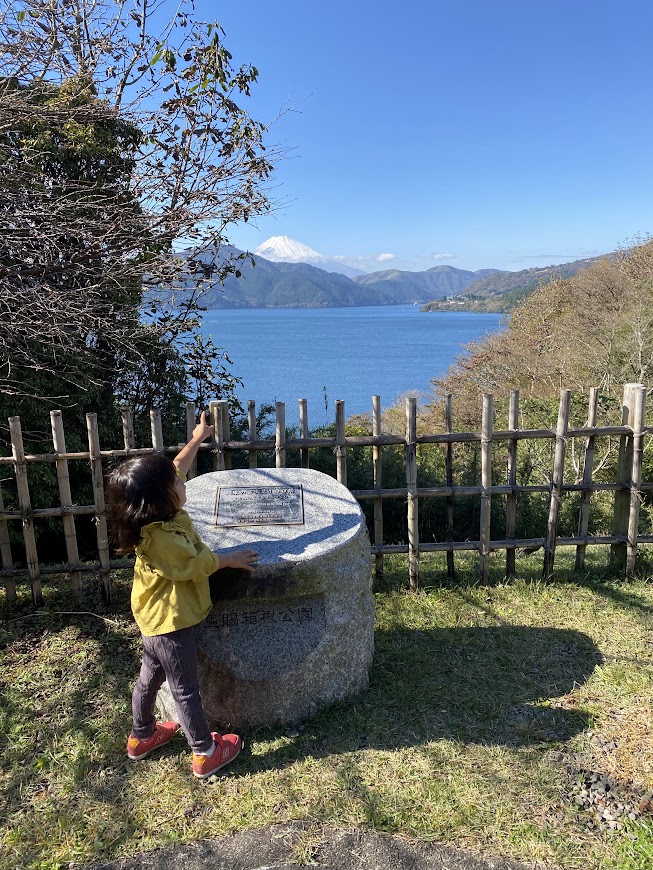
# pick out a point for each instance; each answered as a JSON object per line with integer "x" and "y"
{"x": 259, "y": 505}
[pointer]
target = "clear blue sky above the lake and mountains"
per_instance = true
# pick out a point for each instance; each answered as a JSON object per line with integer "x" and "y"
{"x": 473, "y": 133}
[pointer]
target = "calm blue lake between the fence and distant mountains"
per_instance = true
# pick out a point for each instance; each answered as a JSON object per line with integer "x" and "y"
{"x": 284, "y": 354}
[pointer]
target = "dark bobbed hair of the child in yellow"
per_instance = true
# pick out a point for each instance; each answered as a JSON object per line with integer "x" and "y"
{"x": 140, "y": 491}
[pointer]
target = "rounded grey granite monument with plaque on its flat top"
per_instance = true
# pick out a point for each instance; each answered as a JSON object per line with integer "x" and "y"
{"x": 297, "y": 634}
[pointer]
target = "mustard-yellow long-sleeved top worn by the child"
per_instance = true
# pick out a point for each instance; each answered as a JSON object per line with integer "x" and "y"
{"x": 171, "y": 576}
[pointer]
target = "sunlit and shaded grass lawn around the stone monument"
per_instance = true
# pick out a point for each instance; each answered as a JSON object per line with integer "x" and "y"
{"x": 484, "y": 704}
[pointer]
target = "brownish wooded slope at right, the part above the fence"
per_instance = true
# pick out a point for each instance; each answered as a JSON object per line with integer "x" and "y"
{"x": 594, "y": 329}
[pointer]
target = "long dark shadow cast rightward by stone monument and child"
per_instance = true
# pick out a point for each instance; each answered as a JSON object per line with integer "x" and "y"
{"x": 501, "y": 685}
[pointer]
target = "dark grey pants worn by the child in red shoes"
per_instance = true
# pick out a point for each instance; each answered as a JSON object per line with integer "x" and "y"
{"x": 171, "y": 656}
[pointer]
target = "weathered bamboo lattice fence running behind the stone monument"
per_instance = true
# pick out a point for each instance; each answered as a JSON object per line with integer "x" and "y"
{"x": 628, "y": 487}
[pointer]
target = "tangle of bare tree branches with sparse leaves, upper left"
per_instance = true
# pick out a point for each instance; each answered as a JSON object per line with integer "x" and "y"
{"x": 125, "y": 156}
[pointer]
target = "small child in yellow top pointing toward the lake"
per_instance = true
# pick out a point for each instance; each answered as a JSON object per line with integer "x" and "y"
{"x": 170, "y": 597}
